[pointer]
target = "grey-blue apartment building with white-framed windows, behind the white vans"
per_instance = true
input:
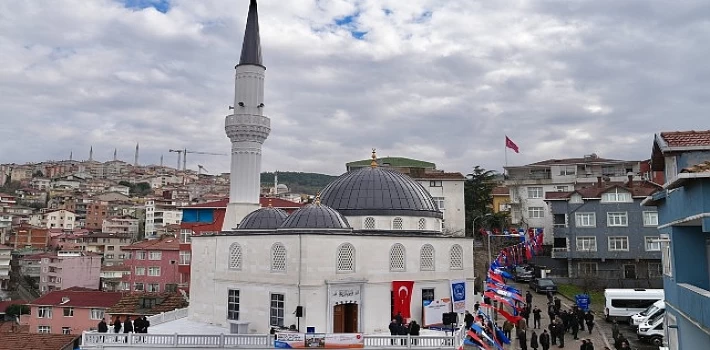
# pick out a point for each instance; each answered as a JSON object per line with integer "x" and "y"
{"x": 603, "y": 234}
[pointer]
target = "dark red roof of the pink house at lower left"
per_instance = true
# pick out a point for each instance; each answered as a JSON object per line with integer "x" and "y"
{"x": 79, "y": 297}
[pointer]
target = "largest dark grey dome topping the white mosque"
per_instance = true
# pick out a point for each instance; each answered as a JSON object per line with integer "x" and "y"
{"x": 379, "y": 191}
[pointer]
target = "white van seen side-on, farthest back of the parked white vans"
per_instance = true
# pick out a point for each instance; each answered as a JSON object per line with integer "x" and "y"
{"x": 621, "y": 304}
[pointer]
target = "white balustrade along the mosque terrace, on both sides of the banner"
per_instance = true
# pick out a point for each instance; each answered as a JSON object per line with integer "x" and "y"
{"x": 94, "y": 340}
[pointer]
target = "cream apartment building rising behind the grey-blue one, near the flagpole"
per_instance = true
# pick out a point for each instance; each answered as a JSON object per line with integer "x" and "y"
{"x": 528, "y": 184}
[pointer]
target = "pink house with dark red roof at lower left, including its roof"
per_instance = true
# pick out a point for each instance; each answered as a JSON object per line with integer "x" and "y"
{"x": 69, "y": 311}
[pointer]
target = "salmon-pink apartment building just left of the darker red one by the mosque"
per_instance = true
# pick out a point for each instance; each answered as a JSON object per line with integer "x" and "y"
{"x": 153, "y": 265}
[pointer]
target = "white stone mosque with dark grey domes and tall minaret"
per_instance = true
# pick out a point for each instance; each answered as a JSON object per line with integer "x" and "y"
{"x": 331, "y": 264}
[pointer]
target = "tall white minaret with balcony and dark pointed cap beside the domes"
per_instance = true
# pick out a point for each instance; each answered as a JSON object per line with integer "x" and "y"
{"x": 247, "y": 127}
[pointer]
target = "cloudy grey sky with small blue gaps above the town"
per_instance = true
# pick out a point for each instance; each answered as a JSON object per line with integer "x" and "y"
{"x": 436, "y": 80}
